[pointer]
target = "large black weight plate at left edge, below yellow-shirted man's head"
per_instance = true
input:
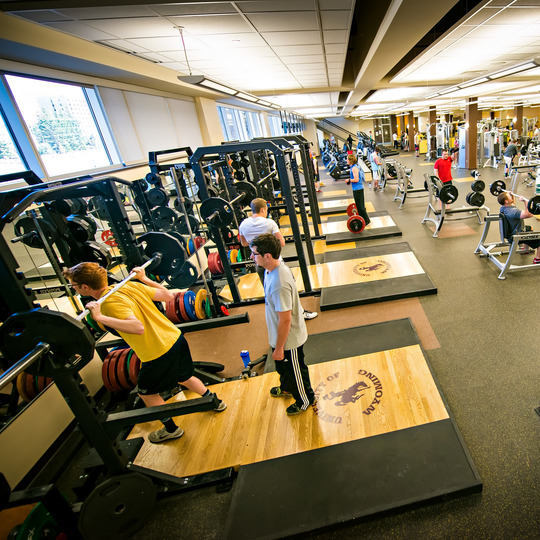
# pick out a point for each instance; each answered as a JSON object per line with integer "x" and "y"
{"x": 67, "y": 337}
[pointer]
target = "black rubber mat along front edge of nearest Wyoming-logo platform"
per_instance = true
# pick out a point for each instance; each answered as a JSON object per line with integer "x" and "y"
{"x": 328, "y": 486}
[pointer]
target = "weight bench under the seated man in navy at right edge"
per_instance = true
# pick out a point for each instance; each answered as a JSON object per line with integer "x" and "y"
{"x": 508, "y": 246}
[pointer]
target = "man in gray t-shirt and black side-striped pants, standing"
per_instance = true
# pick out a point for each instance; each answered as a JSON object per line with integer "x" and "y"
{"x": 287, "y": 331}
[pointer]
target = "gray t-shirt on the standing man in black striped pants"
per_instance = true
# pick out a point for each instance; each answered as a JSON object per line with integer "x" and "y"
{"x": 281, "y": 294}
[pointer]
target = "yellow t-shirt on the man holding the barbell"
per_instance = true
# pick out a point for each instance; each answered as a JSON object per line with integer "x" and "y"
{"x": 135, "y": 298}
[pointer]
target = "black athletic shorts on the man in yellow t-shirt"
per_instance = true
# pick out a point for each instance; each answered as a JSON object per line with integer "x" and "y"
{"x": 165, "y": 372}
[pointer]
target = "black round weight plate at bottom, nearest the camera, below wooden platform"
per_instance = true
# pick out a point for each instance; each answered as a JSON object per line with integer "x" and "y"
{"x": 118, "y": 507}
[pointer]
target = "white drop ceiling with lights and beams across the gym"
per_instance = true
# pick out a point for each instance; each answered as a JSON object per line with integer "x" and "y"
{"x": 296, "y": 53}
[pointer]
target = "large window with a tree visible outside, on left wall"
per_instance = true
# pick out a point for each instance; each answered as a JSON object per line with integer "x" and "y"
{"x": 62, "y": 125}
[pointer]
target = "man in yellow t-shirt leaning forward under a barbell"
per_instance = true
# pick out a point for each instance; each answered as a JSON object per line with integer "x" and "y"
{"x": 162, "y": 348}
